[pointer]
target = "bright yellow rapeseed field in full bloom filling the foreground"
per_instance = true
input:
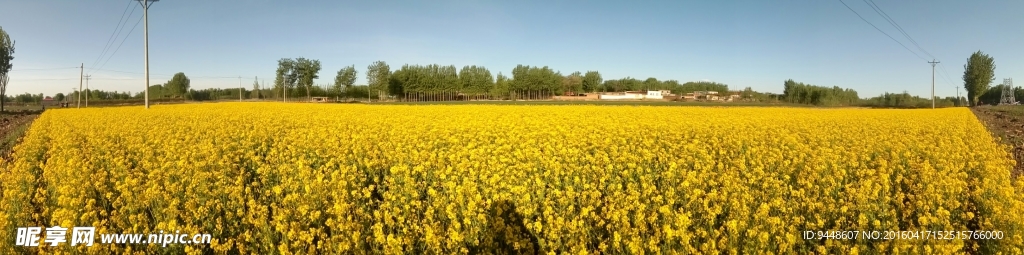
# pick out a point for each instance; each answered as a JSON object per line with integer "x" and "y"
{"x": 294, "y": 179}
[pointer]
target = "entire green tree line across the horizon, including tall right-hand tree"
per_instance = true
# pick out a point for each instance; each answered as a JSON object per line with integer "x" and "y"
{"x": 294, "y": 79}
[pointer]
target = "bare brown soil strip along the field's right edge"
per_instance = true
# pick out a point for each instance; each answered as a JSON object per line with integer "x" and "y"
{"x": 1006, "y": 122}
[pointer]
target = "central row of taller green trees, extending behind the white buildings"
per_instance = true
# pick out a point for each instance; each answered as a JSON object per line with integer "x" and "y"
{"x": 438, "y": 82}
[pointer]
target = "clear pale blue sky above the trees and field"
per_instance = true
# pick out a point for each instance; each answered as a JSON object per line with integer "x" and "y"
{"x": 742, "y": 44}
